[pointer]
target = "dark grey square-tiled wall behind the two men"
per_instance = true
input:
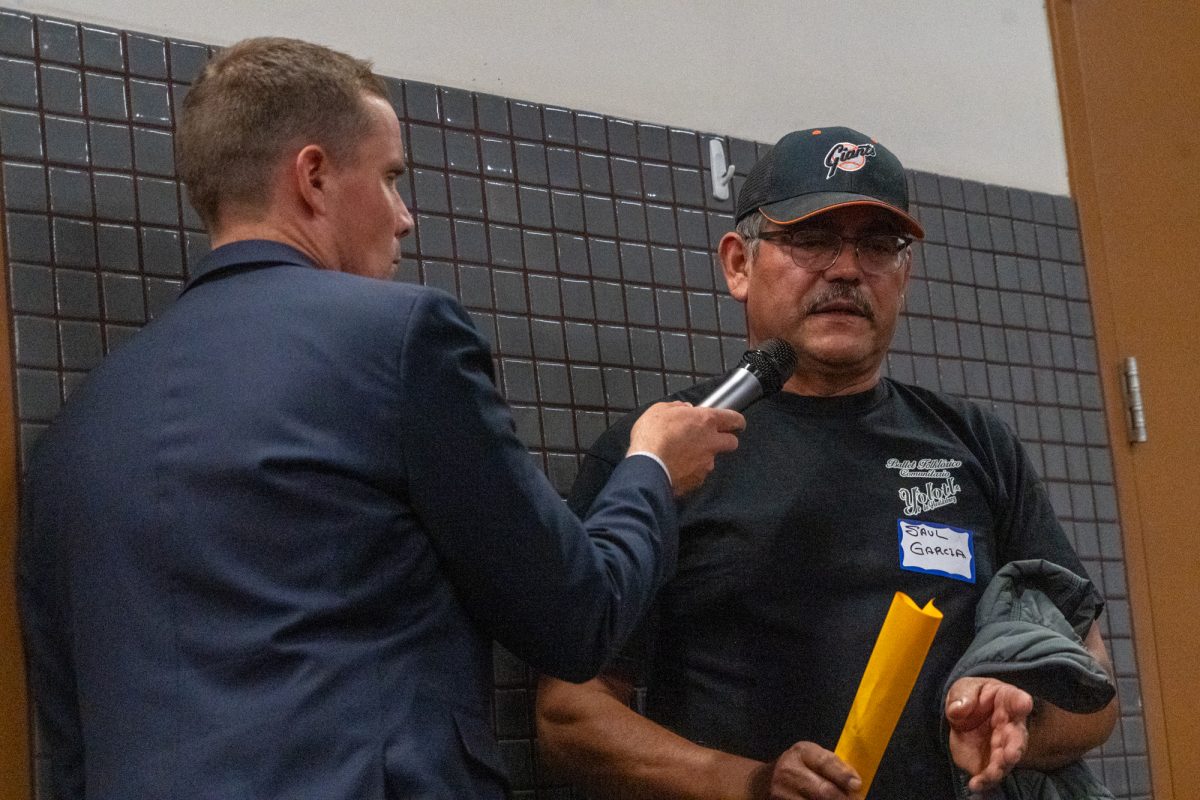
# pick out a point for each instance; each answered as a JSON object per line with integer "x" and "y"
{"x": 581, "y": 245}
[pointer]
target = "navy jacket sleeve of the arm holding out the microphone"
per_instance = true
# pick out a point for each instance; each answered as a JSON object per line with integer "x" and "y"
{"x": 561, "y": 594}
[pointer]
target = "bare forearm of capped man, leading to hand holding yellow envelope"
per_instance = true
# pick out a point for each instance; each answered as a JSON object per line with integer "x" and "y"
{"x": 590, "y": 735}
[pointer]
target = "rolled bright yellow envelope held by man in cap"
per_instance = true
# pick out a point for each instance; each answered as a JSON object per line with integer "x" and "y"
{"x": 891, "y": 675}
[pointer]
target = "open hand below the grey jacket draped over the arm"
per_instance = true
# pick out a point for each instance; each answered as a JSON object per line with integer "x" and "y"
{"x": 988, "y": 729}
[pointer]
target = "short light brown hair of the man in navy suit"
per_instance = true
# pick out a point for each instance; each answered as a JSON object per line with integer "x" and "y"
{"x": 255, "y": 101}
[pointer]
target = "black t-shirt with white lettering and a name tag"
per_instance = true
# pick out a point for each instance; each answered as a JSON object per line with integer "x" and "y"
{"x": 793, "y": 550}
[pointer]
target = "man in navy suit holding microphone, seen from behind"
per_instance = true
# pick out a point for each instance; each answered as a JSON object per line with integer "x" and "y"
{"x": 268, "y": 544}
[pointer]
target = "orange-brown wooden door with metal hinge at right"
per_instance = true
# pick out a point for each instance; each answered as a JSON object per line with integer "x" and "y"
{"x": 1130, "y": 85}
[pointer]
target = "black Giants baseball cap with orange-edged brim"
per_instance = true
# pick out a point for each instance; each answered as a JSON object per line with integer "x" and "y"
{"x": 814, "y": 171}
